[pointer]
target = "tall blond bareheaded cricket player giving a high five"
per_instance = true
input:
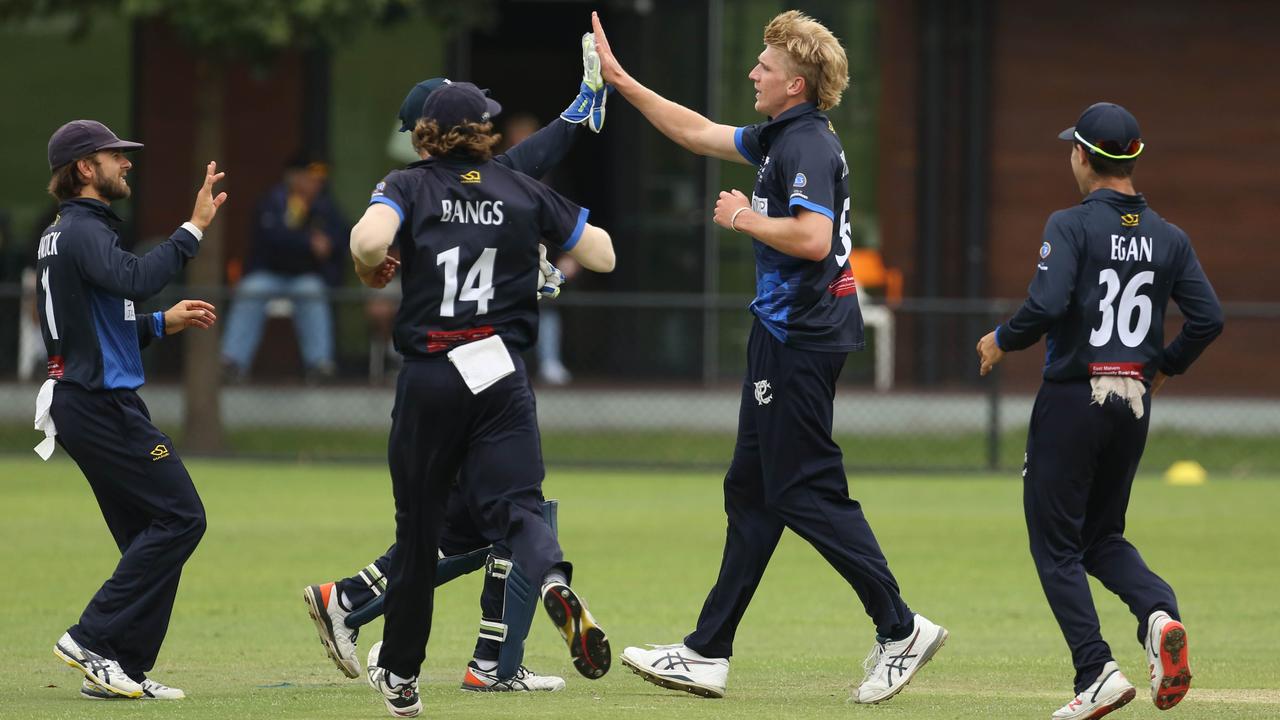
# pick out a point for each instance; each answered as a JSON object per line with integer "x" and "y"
{"x": 787, "y": 472}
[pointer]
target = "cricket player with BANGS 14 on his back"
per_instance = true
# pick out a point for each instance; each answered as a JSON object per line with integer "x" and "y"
{"x": 469, "y": 231}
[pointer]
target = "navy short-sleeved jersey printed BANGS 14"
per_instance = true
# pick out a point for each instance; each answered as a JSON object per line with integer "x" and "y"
{"x": 469, "y": 252}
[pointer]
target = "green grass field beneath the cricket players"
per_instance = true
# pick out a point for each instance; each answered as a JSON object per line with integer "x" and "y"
{"x": 647, "y": 549}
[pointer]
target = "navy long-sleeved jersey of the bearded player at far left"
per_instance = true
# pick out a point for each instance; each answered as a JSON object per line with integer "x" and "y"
{"x": 88, "y": 286}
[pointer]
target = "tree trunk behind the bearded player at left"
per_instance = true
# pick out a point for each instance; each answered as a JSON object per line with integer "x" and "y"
{"x": 202, "y": 354}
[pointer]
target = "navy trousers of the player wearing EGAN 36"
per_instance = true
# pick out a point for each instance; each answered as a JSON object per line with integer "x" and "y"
{"x": 1081, "y": 462}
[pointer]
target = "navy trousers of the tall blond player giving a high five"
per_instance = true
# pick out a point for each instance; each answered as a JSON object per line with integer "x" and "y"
{"x": 788, "y": 472}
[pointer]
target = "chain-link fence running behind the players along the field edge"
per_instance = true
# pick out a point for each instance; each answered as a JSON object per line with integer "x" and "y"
{"x": 656, "y": 380}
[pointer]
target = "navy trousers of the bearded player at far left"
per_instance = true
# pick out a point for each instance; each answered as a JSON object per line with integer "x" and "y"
{"x": 152, "y": 508}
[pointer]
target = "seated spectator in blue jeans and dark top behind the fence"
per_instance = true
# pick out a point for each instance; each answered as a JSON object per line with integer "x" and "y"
{"x": 296, "y": 253}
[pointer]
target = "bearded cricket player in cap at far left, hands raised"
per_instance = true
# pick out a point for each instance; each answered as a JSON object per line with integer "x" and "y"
{"x": 90, "y": 405}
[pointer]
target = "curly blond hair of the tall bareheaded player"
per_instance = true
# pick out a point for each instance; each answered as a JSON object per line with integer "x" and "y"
{"x": 816, "y": 56}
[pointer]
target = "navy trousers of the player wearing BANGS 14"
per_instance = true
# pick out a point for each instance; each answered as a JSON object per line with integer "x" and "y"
{"x": 438, "y": 430}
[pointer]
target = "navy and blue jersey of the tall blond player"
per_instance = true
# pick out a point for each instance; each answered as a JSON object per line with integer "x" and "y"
{"x": 804, "y": 304}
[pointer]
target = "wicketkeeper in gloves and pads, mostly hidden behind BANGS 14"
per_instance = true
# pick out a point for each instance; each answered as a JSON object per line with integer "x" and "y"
{"x": 508, "y": 608}
